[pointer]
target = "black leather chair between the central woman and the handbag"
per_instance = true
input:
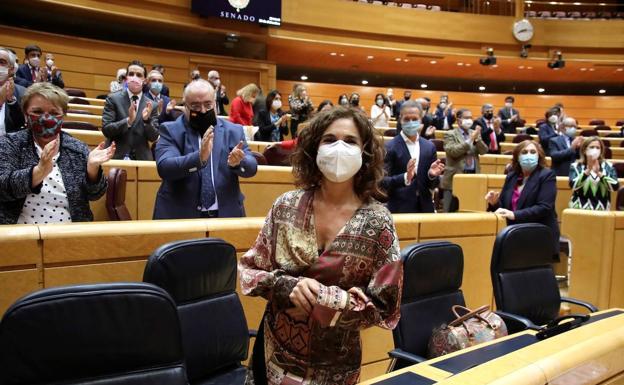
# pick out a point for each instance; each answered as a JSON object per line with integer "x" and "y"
{"x": 432, "y": 277}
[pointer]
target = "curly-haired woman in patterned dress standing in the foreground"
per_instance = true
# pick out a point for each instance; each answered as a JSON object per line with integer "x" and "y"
{"x": 327, "y": 259}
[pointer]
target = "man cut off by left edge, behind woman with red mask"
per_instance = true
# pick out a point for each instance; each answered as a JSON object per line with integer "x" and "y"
{"x": 11, "y": 116}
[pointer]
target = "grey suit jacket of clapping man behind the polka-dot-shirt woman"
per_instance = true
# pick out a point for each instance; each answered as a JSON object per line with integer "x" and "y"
{"x": 131, "y": 140}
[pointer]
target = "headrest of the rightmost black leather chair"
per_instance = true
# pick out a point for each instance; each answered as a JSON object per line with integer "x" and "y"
{"x": 523, "y": 246}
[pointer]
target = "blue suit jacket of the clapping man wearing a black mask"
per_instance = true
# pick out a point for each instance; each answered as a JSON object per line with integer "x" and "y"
{"x": 179, "y": 166}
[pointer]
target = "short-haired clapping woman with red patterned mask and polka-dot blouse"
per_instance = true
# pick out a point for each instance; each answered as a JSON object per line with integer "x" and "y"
{"x": 47, "y": 176}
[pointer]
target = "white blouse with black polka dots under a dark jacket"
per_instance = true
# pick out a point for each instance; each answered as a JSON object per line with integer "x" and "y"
{"x": 51, "y": 204}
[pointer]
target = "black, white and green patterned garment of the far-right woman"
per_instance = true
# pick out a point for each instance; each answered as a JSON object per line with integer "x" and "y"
{"x": 591, "y": 192}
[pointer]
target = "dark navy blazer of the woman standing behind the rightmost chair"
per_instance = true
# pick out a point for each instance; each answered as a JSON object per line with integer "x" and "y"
{"x": 537, "y": 200}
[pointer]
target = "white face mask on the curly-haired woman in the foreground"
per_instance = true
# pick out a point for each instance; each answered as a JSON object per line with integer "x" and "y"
{"x": 339, "y": 161}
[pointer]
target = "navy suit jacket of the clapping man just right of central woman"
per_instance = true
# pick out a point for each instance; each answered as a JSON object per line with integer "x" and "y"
{"x": 415, "y": 198}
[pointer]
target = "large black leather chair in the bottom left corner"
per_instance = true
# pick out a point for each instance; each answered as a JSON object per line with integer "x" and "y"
{"x": 106, "y": 334}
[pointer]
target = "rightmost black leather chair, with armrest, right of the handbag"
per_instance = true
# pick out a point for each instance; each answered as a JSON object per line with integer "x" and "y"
{"x": 525, "y": 288}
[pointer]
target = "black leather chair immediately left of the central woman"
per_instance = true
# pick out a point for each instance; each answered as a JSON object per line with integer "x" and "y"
{"x": 200, "y": 275}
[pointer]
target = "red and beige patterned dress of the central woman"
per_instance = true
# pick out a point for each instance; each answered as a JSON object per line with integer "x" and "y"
{"x": 323, "y": 348}
